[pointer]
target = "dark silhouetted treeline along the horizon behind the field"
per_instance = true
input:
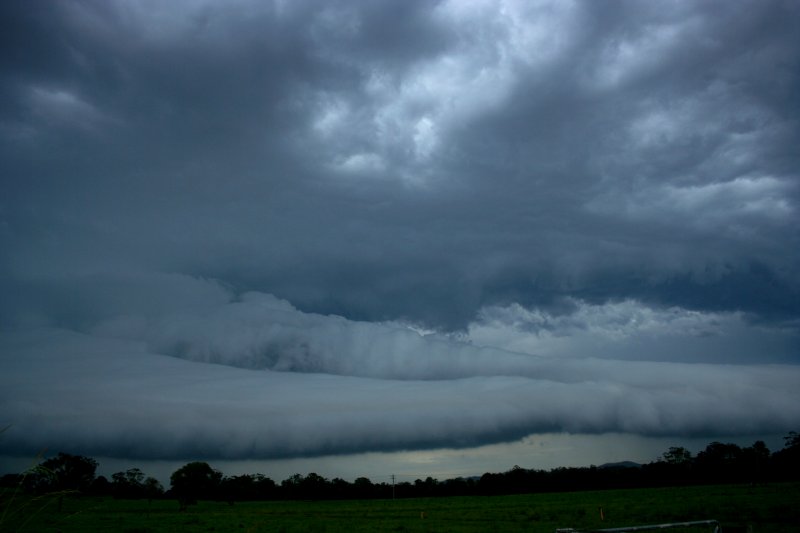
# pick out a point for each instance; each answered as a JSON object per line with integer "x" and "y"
{"x": 719, "y": 463}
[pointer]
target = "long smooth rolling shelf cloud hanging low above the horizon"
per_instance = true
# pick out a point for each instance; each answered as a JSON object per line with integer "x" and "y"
{"x": 256, "y": 378}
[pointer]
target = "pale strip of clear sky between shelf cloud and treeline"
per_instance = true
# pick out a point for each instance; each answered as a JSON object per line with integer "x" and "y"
{"x": 542, "y": 452}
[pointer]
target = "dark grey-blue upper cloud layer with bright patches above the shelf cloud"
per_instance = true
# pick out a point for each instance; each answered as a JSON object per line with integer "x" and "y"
{"x": 519, "y": 153}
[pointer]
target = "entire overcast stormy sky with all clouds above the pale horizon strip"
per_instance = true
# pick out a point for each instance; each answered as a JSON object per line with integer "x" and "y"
{"x": 258, "y": 230}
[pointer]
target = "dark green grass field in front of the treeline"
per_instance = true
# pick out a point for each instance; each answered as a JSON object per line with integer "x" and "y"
{"x": 768, "y": 508}
